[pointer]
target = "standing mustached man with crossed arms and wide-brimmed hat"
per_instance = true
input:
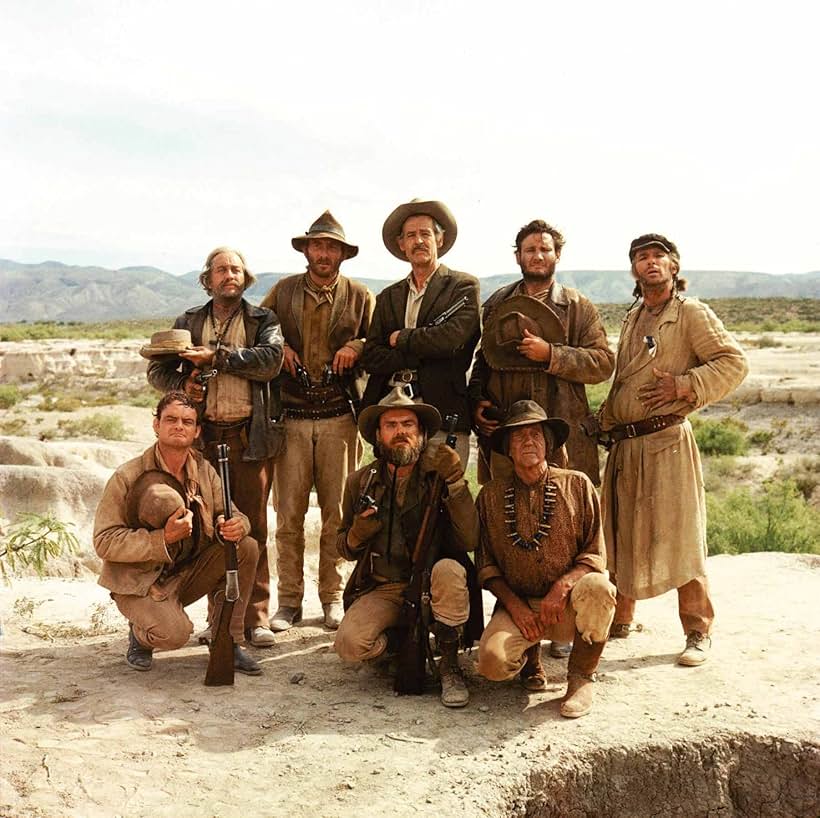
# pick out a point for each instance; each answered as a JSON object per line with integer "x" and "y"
{"x": 425, "y": 327}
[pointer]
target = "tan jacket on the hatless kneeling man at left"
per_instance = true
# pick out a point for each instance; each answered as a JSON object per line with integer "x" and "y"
{"x": 133, "y": 558}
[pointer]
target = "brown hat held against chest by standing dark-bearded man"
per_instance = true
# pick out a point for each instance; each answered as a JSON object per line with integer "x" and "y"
{"x": 504, "y": 331}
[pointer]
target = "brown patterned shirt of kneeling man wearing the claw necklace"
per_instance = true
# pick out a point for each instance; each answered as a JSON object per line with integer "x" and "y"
{"x": 575, "y": 536}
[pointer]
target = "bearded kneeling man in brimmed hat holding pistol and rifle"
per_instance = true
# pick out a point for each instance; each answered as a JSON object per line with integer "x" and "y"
{"x": 381, "y": 539}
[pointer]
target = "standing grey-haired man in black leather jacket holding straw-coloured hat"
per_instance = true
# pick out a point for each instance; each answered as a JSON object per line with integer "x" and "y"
{"x": 242, "y": 344}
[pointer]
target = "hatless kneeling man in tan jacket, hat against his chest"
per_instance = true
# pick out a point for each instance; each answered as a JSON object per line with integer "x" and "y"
{"x": 157, "y": 530}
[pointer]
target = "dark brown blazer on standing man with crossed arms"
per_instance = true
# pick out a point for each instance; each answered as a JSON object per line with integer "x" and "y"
{"x": 441, "y": 355}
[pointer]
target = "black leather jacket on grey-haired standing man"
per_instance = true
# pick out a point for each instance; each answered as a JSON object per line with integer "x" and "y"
{"x": 259, "y": 363}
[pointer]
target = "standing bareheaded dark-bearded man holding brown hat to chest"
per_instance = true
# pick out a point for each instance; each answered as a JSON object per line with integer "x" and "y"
{"x": 542, "y": 341}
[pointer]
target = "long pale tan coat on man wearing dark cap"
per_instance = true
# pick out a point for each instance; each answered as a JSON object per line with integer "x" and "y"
{"x": 653, "y": 501}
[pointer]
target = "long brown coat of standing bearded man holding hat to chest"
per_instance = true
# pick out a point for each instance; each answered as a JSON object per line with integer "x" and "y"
{"x": 583, "y": 358}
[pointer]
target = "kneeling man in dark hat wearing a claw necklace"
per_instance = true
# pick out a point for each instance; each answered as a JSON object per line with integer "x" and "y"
{"x": 541, "y": 552}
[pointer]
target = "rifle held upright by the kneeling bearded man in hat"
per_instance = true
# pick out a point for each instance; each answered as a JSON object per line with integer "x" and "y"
{"x": 416, "y": 614}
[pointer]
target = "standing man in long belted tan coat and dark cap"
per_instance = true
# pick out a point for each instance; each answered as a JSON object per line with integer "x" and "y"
{"x": 674, "y": 356}
